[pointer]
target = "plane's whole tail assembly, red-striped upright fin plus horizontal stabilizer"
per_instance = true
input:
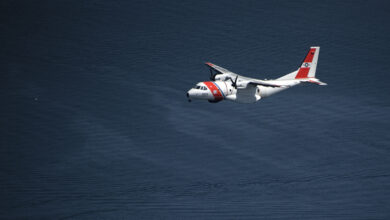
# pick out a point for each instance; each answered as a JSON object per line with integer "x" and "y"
{"x": 307, "y": 70}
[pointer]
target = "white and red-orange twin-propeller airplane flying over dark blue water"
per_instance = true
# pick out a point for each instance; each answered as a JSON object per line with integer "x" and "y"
{"x": 226, "y": 85}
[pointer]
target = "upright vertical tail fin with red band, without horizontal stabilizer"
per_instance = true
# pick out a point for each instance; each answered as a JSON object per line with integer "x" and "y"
{"x": 309, "y": 64}
